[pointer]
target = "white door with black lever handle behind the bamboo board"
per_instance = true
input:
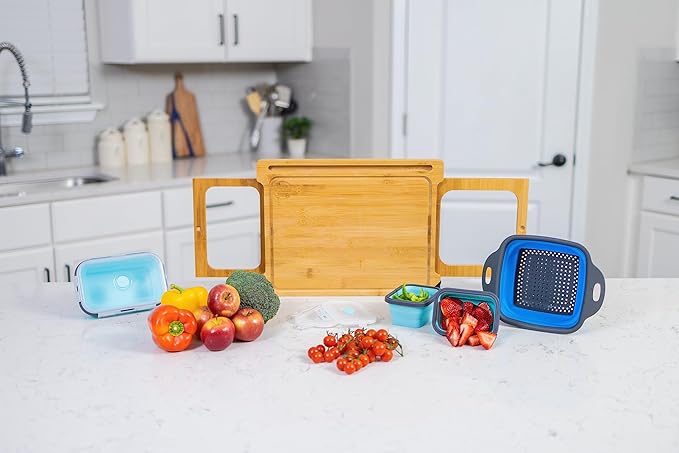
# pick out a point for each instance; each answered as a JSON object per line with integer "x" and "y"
{"x": 491, "y": 88}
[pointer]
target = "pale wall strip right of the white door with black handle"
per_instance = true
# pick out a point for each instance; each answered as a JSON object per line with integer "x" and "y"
{"x": 625, "y": 29}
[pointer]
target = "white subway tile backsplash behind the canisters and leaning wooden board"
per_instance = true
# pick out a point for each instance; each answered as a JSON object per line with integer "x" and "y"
{"x": 135, "y": 90}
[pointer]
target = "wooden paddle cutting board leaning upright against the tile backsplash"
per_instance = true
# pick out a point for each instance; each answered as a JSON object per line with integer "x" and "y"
{"x": 187, "y": 136}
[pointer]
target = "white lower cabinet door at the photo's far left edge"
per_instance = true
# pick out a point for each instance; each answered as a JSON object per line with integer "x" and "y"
{"x": 22, "y": 270}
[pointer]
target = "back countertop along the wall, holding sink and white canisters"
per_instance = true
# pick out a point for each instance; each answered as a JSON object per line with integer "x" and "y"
{"x": 177, "y": 173}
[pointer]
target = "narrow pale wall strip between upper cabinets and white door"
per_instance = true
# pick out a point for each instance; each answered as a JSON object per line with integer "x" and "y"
{"x": 362, "y": 27}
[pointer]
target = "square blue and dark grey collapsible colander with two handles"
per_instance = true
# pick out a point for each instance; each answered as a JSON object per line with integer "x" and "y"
{"x": 544, "y": 283}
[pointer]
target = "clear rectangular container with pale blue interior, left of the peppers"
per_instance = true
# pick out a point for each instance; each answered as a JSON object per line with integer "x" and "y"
{"x": 120, "y": 284}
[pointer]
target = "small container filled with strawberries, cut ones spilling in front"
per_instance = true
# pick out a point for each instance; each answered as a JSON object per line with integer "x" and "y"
{"x": 466, "y": 317}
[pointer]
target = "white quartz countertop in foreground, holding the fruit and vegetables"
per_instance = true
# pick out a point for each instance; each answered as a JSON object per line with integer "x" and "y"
{"x": 71, "y": 383}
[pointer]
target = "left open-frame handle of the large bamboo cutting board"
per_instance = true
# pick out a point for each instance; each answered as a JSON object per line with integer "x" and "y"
{"x": 200, "y": 188}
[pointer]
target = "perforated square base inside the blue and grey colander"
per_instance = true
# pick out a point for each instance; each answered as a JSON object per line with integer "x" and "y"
{"x": 546, "y": 281}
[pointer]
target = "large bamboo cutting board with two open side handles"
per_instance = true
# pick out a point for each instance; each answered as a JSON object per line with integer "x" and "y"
{"x": 346, "y": 227}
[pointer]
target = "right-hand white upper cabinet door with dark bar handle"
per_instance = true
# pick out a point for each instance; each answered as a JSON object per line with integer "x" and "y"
{"x": 268, "y": 30}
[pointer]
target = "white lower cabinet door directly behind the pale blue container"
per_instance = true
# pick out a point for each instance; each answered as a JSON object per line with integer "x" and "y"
{"x": 68, "y": 256}
